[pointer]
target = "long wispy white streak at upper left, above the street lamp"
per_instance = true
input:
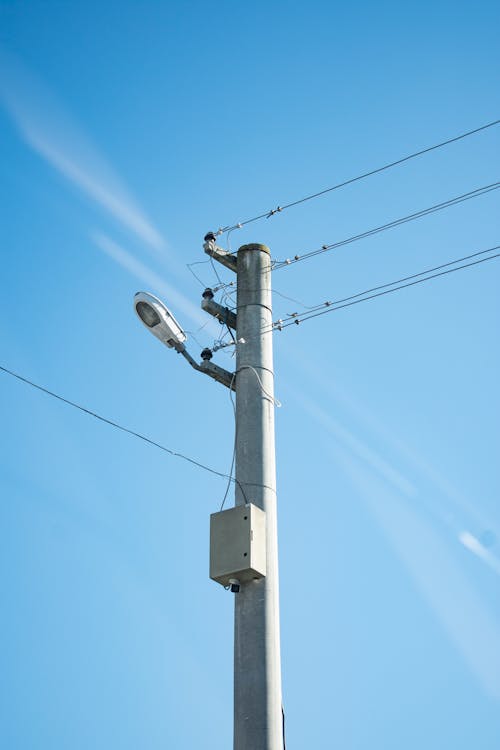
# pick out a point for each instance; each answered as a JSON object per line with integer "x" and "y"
{"x": 53, "y": 135}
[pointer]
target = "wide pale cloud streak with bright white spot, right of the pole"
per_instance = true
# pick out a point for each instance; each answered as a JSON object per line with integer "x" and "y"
{"x": 427, "y": 556}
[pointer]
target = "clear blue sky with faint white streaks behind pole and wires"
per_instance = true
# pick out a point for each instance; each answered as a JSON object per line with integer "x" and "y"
{"x": 128, "y": 130}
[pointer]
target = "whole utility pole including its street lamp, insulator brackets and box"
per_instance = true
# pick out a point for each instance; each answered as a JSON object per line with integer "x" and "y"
{"x": 244, "y": 539}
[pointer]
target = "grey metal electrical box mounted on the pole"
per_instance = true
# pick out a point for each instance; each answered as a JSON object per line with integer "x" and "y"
{"x": 238, "y": 544}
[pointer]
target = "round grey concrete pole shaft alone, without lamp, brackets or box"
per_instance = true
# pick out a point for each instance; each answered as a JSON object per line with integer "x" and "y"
{"x": 257, "y": 663}
